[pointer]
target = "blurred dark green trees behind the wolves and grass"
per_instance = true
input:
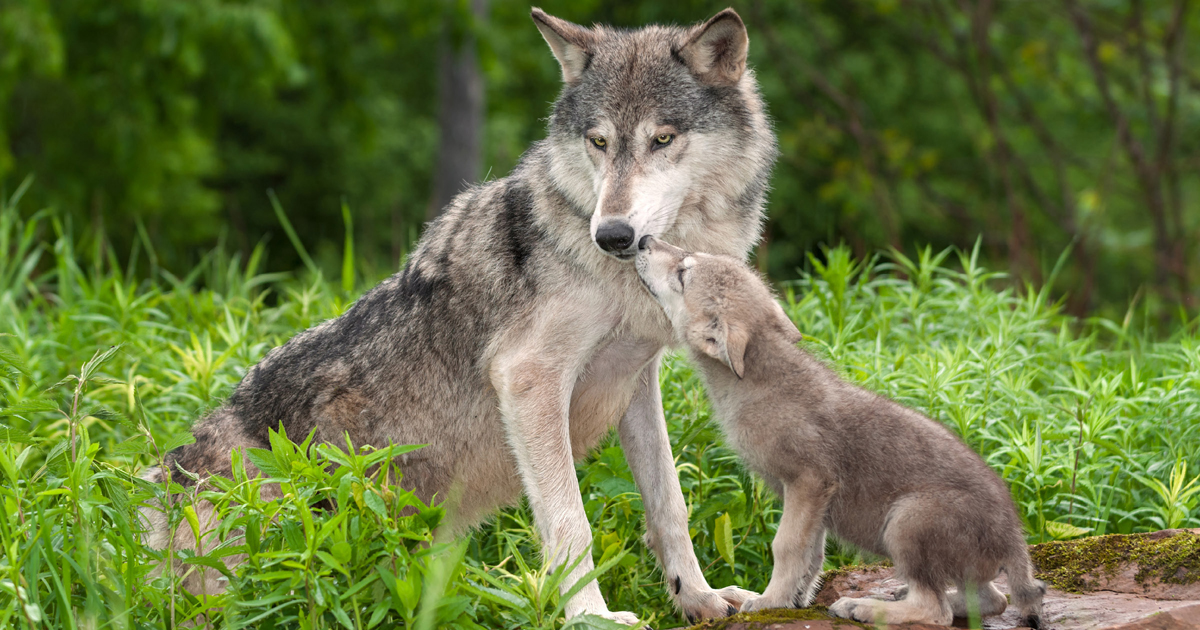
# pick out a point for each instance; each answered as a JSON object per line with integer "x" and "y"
{"x": 1031, "y": 125}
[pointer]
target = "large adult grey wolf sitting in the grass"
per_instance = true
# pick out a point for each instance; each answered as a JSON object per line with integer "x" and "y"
{"x": 518, "y": 333}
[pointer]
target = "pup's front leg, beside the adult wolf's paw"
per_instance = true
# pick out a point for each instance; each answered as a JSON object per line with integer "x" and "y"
{"x": 799, "y": 548}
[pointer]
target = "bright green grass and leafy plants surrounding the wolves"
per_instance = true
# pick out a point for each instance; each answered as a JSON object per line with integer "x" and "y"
{"x": 1096, "y": 427}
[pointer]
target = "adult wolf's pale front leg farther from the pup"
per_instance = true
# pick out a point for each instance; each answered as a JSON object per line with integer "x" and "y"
{"x": 535, "y": 403}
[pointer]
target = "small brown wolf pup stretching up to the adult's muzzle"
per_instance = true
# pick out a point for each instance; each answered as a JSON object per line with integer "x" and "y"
{"x": 875, "y": 473}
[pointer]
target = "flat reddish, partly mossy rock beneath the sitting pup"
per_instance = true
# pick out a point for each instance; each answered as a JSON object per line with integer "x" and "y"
{"x": 1117, "y": 583}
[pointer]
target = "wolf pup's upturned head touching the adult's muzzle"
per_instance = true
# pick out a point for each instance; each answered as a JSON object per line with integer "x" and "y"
{"x": 716, "y": 304}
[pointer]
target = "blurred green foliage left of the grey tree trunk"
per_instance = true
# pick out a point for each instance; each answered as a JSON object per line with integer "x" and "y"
{"x": 173, "y": 115}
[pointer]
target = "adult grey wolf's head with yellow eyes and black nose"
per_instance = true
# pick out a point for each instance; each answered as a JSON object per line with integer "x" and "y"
{"x": 658, "y": 131}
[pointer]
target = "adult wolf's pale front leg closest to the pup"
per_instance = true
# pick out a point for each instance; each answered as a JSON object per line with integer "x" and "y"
{"x": 644, "y": 437}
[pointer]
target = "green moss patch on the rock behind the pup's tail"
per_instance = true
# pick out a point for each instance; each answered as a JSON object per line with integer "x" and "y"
{"x": 1075, "y": 566}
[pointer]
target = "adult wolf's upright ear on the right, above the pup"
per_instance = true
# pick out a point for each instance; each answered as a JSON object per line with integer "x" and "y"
{"x": 717, "y": 51}
